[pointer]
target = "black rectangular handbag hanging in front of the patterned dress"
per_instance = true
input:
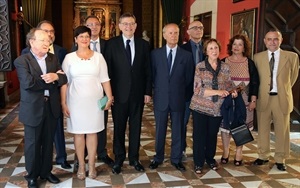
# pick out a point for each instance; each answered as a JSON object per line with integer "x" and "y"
{"x": 241, "y": 135}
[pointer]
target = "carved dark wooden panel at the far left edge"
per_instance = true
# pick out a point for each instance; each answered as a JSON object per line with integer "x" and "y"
{"x": 5, "y": 53}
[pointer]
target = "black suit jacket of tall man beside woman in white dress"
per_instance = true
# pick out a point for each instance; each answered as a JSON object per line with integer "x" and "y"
{"x": 126, "y": 79}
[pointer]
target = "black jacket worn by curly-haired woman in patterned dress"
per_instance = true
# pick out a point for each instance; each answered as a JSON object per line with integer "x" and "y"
{"x": 254, "y": 79}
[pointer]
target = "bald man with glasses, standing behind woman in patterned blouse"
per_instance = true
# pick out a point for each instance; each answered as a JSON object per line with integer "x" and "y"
{"x": 195, "y": 46}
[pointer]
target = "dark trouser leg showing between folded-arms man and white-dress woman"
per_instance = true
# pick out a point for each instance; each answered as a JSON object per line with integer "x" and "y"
{"x": 59, "y": 141}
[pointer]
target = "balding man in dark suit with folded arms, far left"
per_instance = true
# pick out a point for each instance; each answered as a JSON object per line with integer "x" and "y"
{"x": 40, "y": 78}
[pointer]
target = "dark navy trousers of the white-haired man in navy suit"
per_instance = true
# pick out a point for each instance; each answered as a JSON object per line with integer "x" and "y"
{"x": 161, "y": 120}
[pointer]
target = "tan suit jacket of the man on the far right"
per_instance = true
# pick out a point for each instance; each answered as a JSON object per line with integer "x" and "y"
{"x": 287, "y": 74}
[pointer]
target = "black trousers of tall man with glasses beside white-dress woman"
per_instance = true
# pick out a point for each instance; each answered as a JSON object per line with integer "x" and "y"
{"x": 132, "y": 112}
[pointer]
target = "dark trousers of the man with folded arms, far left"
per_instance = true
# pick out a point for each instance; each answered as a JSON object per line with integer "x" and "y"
{"x": 39, "y": 146}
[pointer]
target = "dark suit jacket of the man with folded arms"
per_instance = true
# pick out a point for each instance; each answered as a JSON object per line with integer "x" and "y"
{"x": 32, "y": 88}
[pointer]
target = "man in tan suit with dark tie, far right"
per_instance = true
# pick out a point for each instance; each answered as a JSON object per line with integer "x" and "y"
{"x": 278, "y": 71}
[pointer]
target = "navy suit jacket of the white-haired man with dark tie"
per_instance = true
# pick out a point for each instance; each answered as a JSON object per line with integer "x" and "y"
{"x": 170, "y": 90}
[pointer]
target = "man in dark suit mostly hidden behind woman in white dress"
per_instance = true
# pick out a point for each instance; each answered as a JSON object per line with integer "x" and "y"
{"x": 97, "y": 44}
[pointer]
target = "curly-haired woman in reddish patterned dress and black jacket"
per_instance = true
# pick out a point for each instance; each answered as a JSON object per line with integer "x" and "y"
{"x": 244, "y": 74}
